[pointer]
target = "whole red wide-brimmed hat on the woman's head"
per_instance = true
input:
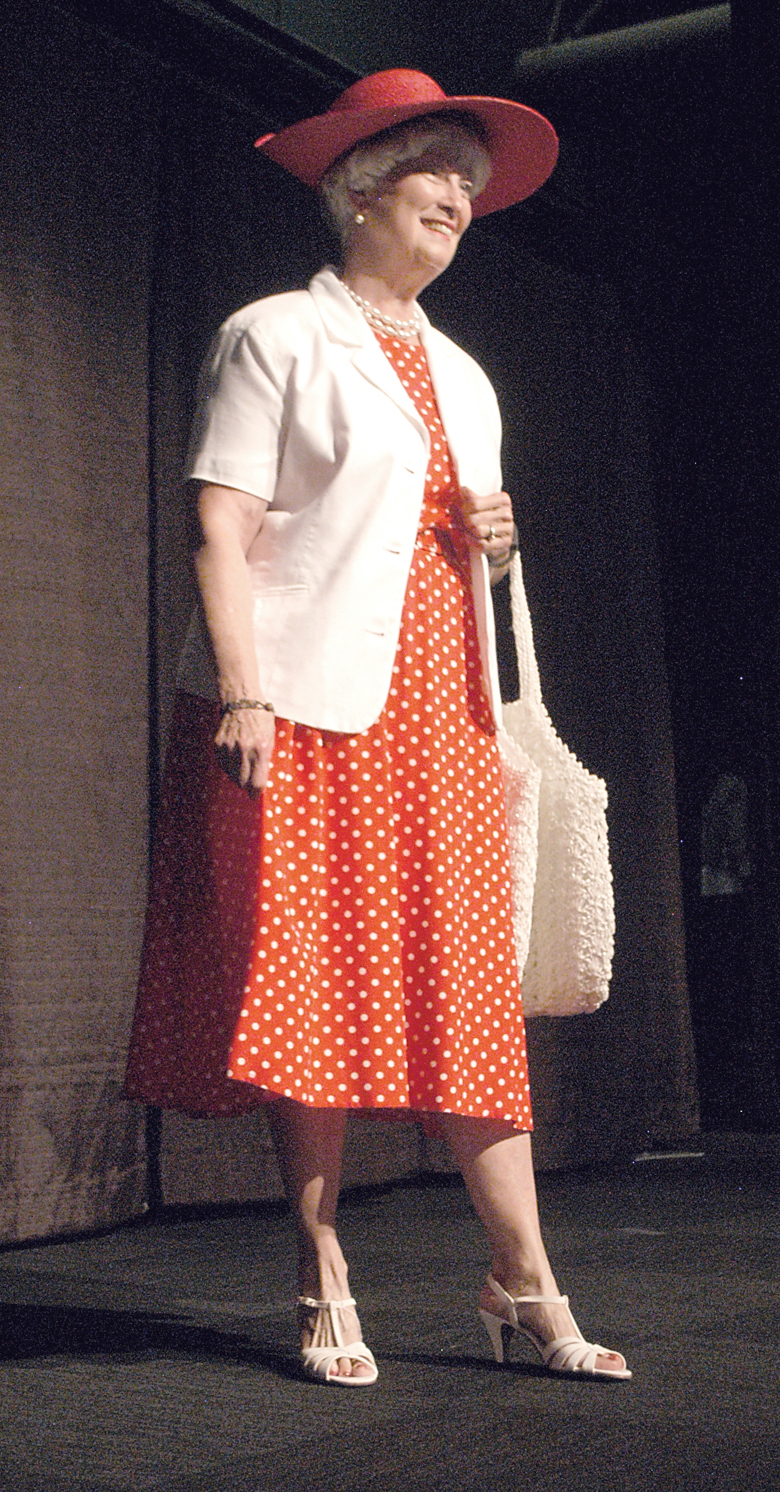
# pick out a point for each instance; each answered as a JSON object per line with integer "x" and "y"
{"x": 523, "y": 144}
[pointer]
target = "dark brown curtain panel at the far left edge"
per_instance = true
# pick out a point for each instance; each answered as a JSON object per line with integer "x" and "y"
{"x": 77, "y": 217}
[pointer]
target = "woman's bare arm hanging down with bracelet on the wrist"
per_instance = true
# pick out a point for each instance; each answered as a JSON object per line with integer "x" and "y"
{"x": 227, "y": 524}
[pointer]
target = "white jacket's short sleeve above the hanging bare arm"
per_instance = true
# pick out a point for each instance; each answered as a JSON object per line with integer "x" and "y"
{"x": 238, "y": 423}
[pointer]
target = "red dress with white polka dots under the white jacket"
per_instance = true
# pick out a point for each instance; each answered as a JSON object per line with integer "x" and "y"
{"x": 369, "y": 962}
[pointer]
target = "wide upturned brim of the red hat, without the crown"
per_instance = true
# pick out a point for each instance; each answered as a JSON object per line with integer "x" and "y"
{"x": 523, "y": 144}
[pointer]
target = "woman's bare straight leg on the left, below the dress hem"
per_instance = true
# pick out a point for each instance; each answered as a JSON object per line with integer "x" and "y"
{"x": 309, "y": 1145}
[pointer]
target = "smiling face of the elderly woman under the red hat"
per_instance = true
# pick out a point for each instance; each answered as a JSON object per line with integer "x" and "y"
{"x": 415, "y": 222}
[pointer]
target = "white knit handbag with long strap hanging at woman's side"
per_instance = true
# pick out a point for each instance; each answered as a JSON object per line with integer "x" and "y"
{"x": 557, "y": 812}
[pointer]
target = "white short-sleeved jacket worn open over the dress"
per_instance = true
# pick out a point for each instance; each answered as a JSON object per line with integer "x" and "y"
{"x": 301, "y": 407}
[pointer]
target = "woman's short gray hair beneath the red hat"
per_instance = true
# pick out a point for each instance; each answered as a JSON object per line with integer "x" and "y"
{"x": 374, "y": 160}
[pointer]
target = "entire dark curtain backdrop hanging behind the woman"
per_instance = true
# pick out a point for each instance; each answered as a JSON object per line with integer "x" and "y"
{"x": 138, "y": 217}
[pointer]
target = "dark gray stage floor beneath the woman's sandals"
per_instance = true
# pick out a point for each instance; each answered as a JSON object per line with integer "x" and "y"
{"x": 162, "y": 1357}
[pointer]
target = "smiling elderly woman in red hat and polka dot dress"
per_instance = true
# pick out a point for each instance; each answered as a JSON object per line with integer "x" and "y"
{"x": 330, "y": 921}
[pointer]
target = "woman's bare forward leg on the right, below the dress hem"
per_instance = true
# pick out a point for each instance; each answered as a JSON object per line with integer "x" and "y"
{"x": 497, "y": 1169}
